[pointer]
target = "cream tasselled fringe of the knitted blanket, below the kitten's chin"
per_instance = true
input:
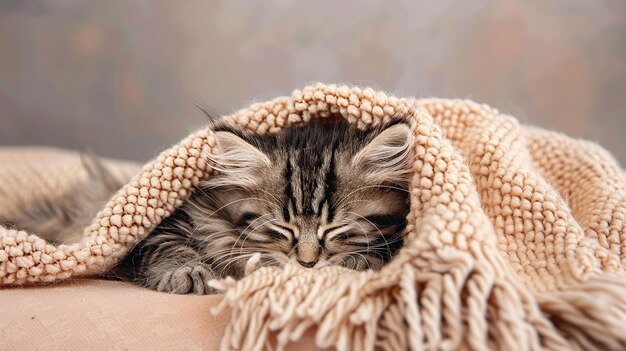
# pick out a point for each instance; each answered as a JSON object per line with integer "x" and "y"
{"x": 472, "y": 305}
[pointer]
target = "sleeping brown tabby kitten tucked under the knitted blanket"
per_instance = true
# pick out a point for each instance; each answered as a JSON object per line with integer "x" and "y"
{"x": 324, "y": 194}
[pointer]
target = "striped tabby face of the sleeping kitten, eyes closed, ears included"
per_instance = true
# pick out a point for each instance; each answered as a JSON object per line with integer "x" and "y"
{"x": 315, "y": 196}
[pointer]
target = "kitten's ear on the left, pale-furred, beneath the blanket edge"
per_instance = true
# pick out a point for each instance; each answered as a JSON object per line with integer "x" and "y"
{"x": 237, "y": 155}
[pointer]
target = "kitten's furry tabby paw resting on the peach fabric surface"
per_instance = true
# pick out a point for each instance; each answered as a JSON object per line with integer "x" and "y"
{"x": 187, "y": 279}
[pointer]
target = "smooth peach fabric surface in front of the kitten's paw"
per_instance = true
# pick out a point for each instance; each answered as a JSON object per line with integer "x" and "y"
{"x": 89, "y": 314}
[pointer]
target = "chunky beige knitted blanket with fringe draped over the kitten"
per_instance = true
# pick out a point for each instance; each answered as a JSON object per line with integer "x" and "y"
{"x": 517, "y": 236}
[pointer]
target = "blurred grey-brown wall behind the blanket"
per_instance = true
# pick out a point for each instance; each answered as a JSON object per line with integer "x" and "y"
{"x": 122, "y": 77}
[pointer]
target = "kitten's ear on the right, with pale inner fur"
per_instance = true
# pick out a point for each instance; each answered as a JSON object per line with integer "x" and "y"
{"x": 386, "y": 158}
